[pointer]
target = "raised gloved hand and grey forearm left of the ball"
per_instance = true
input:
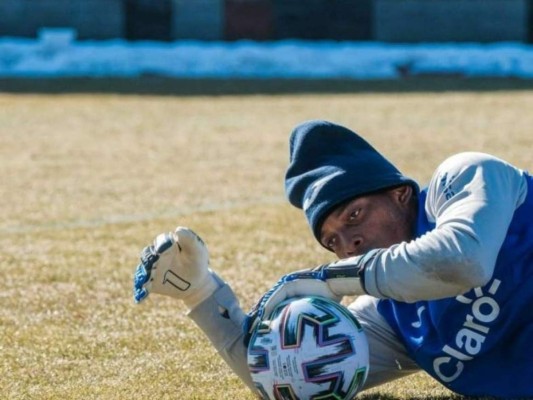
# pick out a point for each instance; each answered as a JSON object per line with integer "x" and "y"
{"x": 177, "y": 265}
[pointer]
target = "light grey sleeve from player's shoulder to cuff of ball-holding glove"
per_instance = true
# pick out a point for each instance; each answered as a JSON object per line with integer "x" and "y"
{"x": 471, "y": 199}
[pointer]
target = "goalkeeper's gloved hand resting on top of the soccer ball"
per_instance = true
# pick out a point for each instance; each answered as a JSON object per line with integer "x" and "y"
{"x": 333, "y": 281}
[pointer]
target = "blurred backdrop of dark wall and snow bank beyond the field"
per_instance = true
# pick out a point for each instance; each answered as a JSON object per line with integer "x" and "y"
{"x": 317, "y": 39}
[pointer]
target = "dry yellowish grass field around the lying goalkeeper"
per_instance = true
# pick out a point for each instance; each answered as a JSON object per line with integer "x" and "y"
{"x": 90, "y": 176}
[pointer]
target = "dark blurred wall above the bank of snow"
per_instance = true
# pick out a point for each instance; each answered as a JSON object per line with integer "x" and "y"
{"x": 361, "y": 20}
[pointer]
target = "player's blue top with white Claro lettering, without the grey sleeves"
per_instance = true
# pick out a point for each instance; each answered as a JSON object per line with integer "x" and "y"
{"x": 479, "y": 342}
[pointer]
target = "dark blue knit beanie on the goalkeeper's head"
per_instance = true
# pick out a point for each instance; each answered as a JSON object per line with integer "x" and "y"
{"x": 330, "y": 164}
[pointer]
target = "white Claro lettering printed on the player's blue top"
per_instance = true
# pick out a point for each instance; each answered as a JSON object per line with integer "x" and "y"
{"x": 470, "y": 338}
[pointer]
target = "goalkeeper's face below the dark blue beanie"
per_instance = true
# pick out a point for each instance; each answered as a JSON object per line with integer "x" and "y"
{"x": 368, "y": 222}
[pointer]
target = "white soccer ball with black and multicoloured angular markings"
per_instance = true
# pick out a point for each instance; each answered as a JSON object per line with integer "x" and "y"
{"x": 309, "y": 348}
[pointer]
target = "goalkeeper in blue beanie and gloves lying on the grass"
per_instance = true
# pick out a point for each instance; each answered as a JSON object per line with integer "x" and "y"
{"x": 443, "y": 275}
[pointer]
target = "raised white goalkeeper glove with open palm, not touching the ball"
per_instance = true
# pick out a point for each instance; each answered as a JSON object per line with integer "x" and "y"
{"x": 175, "y": 265}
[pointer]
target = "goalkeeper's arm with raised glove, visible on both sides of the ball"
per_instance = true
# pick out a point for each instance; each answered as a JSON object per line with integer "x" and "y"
{"x": 177, "y": 265}
